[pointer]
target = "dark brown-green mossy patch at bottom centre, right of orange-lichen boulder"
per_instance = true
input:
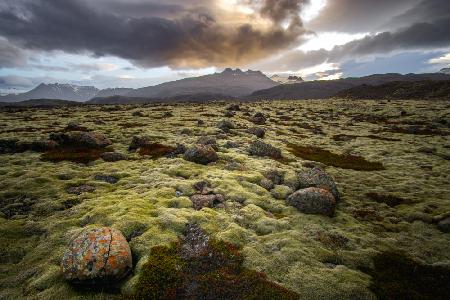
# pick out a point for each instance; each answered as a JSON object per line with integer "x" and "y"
{"x": 216, "y": 273}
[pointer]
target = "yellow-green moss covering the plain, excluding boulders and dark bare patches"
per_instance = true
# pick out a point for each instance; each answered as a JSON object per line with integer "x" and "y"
{"x": 382, "y": 210}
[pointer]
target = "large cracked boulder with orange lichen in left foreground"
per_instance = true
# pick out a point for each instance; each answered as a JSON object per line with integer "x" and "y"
{"x": 97, "y": 255}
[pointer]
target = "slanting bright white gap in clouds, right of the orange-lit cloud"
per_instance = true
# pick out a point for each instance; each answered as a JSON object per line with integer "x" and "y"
{"x": 327, "y": 40}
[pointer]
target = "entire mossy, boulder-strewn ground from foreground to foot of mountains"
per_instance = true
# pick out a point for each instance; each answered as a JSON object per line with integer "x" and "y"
{"x": 317, "y": 199}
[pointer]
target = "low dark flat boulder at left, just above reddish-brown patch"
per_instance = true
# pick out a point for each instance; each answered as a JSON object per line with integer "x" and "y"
{"x": 80, "y": 139}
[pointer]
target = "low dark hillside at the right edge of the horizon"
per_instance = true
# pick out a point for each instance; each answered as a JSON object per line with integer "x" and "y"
{"x": 400, "y": 90}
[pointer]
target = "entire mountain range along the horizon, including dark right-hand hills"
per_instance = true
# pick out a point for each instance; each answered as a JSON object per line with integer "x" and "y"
{"x": 227, "y": 85}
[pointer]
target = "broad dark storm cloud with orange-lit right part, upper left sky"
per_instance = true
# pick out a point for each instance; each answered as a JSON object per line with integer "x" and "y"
{"x": 185, "y": 39}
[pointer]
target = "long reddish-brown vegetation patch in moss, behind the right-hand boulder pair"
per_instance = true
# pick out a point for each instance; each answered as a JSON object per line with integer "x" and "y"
{"x": 344, "y": 161}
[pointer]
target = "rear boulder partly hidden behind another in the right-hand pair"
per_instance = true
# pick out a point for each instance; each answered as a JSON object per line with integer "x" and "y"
{"x": 317, "y": 178}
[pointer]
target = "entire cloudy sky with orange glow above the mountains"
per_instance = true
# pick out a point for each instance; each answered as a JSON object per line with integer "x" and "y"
{"x": 137, "y": 43}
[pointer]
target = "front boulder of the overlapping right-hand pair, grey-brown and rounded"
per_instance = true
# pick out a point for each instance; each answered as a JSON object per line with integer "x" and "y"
{"x": 313, "y": 201}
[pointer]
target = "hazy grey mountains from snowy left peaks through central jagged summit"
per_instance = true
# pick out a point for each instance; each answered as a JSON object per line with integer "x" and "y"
{"x": 229, "y": 83}
